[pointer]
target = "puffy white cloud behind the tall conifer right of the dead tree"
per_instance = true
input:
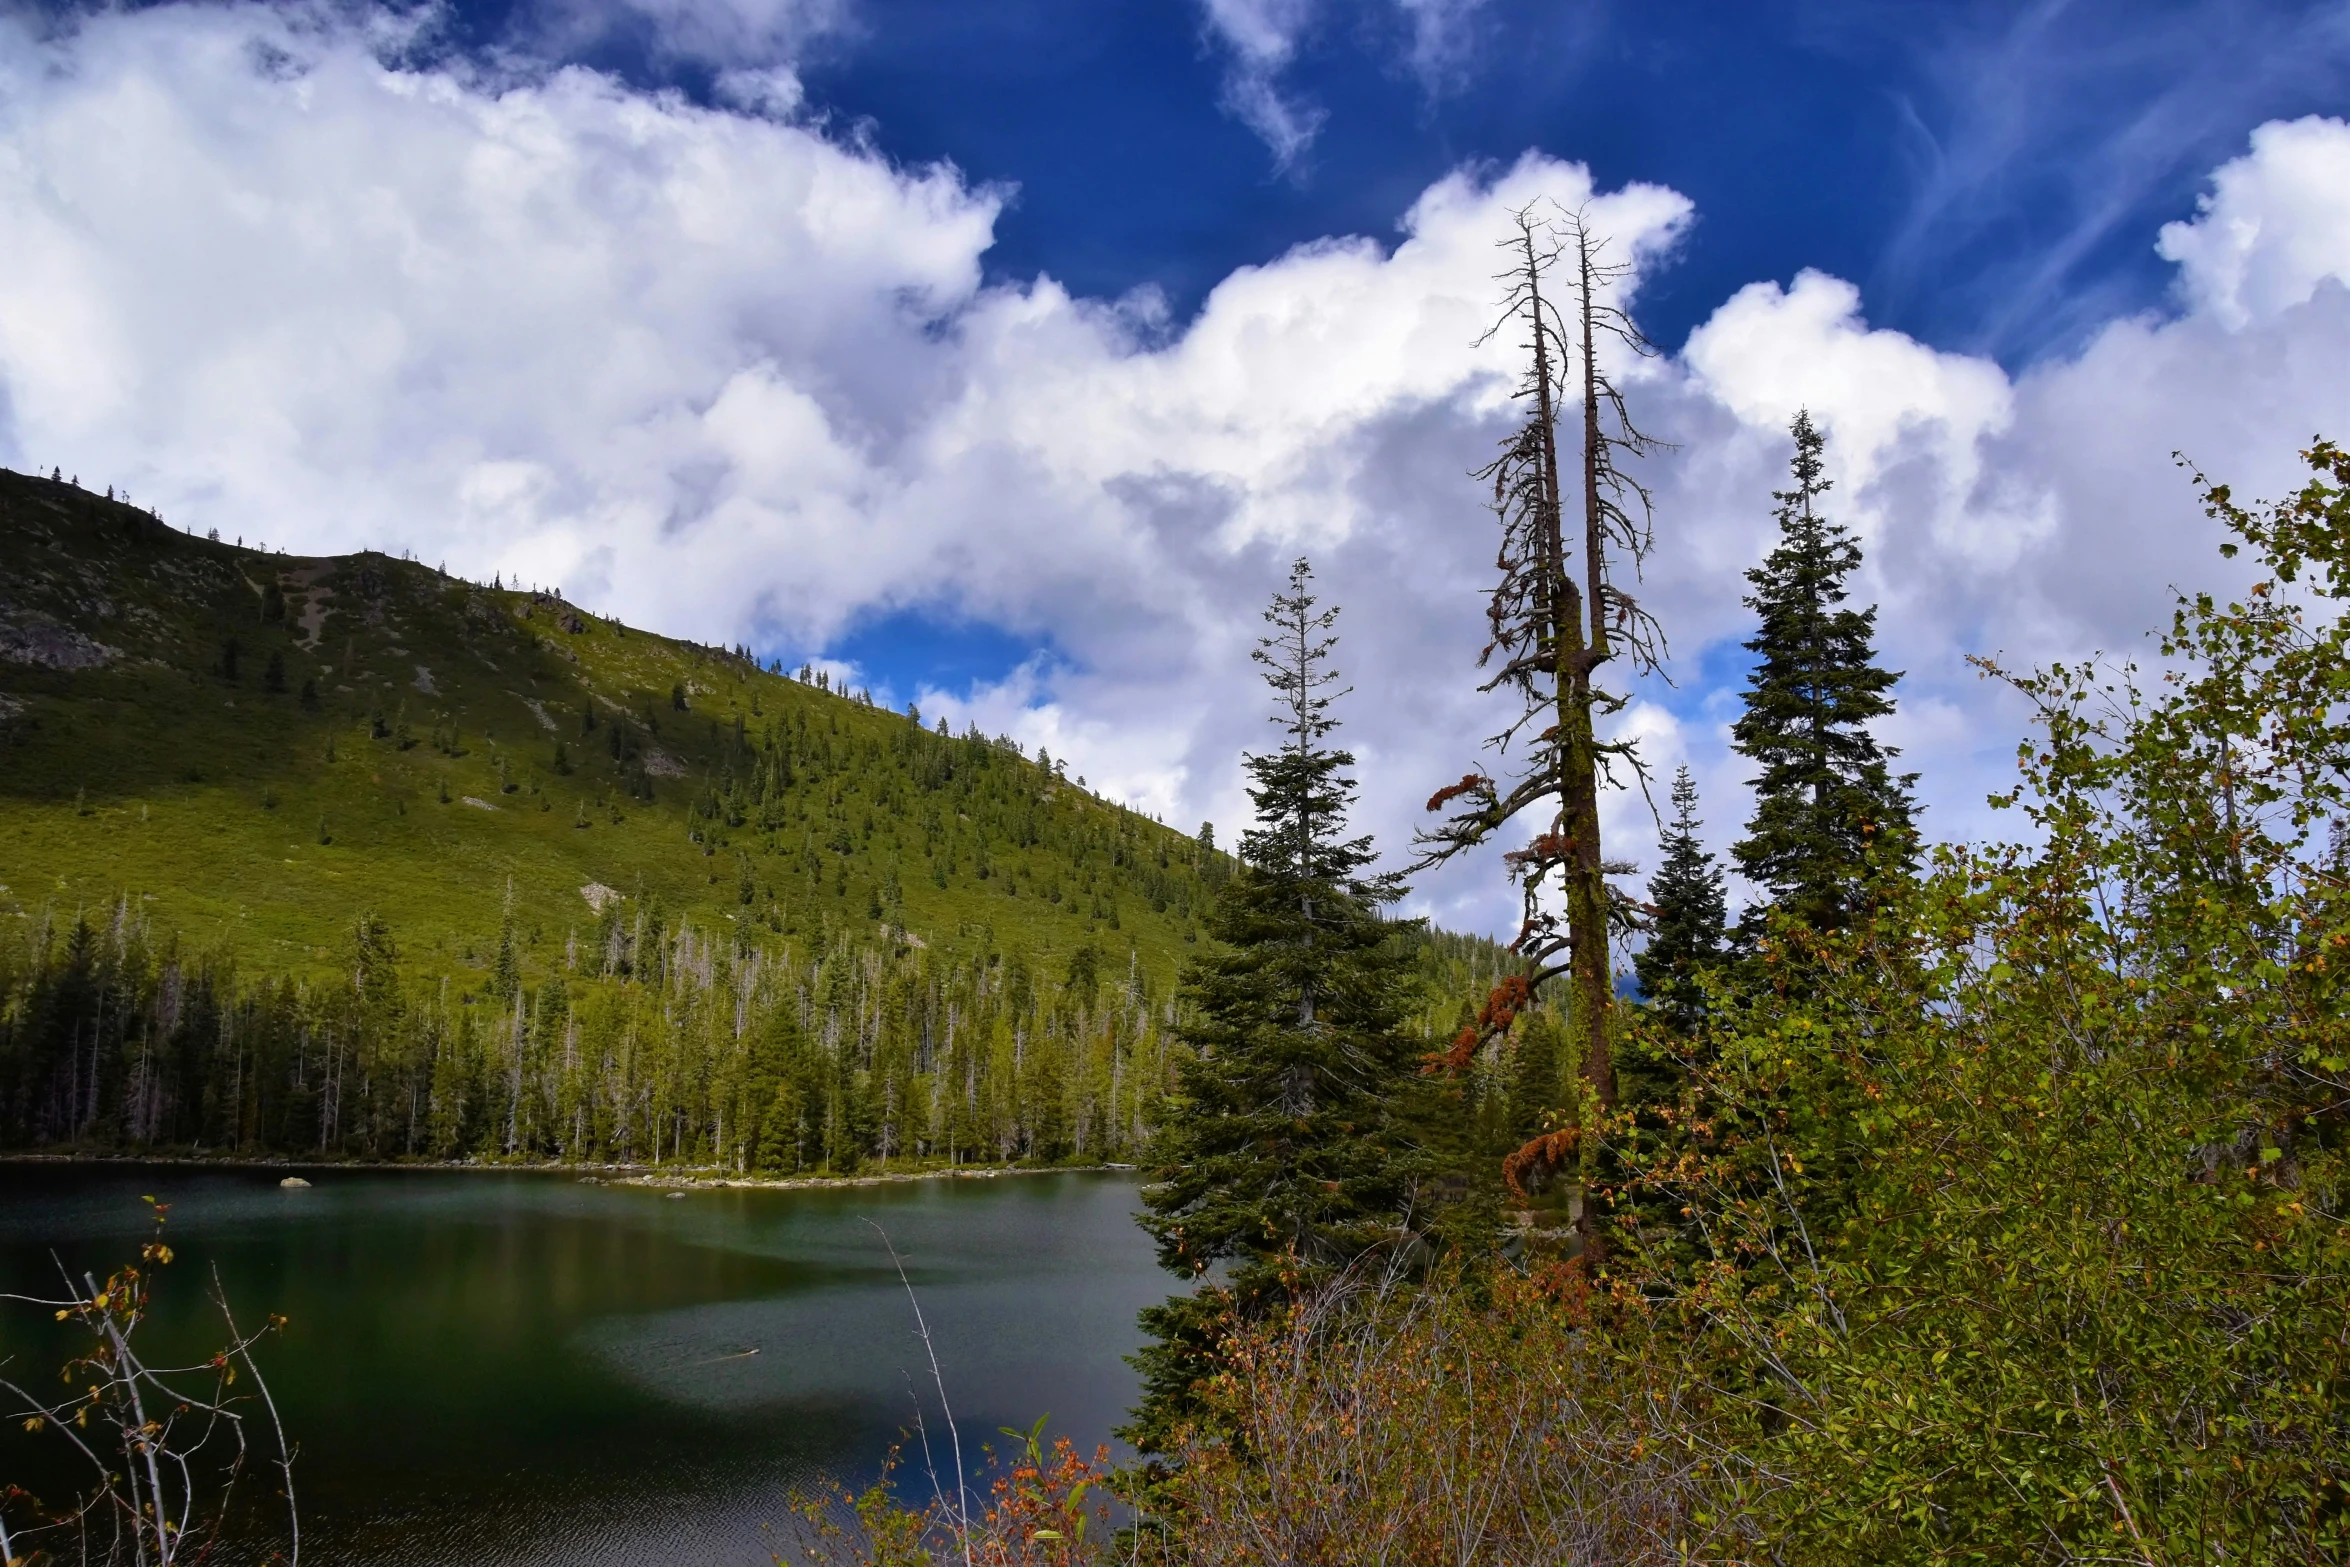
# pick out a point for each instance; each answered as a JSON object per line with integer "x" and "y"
{"x": 2029, "y": 516}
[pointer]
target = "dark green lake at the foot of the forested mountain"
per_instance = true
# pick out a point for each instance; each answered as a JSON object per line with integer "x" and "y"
{"x": 525, "y": 1371}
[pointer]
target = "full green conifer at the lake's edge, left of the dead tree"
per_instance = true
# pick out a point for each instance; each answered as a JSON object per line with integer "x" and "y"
{"x": 1273, "y": 1157}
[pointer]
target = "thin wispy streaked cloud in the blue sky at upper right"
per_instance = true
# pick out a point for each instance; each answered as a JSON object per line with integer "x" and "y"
{"x": 2095, "y": 107}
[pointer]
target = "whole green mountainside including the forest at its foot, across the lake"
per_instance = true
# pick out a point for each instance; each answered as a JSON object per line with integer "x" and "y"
{"x": 349, "y": 859}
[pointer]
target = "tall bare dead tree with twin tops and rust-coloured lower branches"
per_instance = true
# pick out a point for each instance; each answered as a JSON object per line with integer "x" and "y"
{"x": 1557, "y": 617}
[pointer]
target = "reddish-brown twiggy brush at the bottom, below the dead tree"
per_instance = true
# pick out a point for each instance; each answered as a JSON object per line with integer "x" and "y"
{"x": 1449, "y": 1427}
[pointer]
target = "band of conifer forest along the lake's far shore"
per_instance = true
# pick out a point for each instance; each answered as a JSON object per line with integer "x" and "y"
{"x": 662, "y": 1044}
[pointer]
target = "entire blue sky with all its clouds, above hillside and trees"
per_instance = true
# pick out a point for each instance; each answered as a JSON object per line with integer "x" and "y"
{"x": 1005, "y": 356}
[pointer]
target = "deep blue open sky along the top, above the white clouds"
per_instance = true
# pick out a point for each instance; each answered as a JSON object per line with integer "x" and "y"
{"x": 1987, "y": 173}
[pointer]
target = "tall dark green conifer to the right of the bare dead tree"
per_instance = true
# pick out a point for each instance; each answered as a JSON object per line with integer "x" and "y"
{"x": 1825, "y": 798}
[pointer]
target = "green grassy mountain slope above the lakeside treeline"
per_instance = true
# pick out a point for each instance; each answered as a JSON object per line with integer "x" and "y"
{"x": 257, "y": 823}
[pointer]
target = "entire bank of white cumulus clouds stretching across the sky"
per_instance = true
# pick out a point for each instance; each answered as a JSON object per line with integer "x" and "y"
{"x": 730, "y": 377}
